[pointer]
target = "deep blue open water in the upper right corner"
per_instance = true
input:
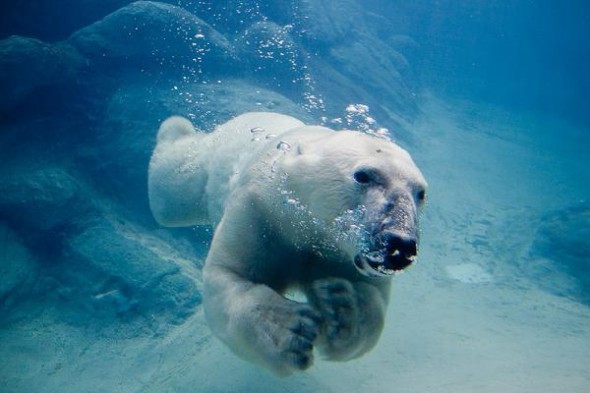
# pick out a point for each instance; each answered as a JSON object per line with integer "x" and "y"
{"x": 525, "y": 55}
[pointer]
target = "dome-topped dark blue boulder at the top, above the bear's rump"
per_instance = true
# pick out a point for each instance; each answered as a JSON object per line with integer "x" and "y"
{"x": 148, "y": 33}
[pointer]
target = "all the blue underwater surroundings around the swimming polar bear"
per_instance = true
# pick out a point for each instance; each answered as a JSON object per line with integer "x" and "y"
{"x": 490, "y": 98}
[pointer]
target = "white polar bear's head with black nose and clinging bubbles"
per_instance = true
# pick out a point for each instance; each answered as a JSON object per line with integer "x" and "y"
{"x": 363, "y": 194}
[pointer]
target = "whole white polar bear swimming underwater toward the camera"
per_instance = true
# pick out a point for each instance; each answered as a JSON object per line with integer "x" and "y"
{"x": 310, "y": 226}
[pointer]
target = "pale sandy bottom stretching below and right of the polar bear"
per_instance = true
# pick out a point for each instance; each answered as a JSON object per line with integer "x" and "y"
{"x": 466, "y": 318}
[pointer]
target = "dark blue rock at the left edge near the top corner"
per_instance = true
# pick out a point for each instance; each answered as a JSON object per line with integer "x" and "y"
{"x": 27, "y": 63}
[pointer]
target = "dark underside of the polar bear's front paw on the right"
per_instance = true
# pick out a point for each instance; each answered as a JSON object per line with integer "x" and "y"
{"x": 336, "y": 300}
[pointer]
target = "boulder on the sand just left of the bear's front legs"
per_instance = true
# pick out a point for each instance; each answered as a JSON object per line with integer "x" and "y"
{"x": 114, "y": 268}
